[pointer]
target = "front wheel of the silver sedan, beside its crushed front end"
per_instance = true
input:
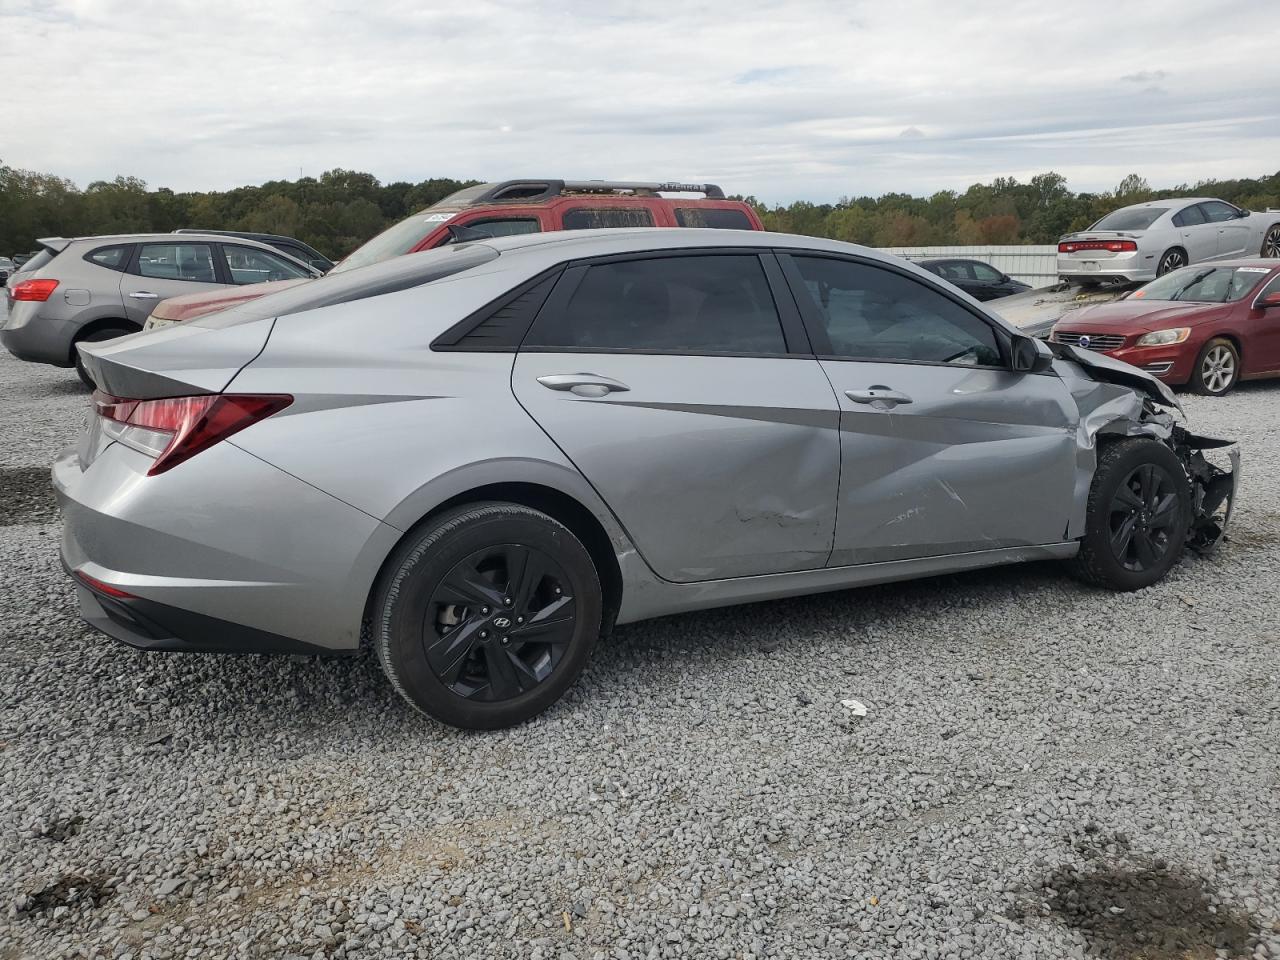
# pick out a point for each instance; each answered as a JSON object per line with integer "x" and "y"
{"x": 1133, "y": 537}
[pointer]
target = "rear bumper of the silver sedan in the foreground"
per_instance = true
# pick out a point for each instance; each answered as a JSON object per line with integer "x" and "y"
{"x": 222, "y": 554}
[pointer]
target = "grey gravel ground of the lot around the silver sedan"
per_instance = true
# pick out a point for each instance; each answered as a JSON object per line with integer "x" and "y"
{"x": 1045, "y": 771}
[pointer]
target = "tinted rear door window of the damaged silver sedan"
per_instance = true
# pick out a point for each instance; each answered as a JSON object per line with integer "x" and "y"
{"x": 698, "y": 305}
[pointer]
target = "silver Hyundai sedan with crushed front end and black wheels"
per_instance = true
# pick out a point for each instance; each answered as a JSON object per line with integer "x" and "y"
{"x": 478, "y": 460}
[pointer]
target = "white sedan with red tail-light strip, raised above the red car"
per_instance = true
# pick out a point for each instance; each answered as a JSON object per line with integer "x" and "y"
{"x": 1145, "y": 241}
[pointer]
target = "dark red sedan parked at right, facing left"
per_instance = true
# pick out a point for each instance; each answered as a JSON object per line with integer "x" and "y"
{"x": 1209, "y": 326}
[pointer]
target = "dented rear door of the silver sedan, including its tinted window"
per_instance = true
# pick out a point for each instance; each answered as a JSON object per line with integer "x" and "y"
{"x": 691, "y": 401}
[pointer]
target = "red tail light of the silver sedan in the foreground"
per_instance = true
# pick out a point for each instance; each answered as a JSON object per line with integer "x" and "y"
{"x": 179, "y": 428}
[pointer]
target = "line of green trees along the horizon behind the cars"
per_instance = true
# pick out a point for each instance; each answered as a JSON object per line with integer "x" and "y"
{"x": 342, "y": 209}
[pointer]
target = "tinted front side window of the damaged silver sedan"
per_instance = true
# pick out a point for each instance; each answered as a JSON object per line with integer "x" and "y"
{"x": 875, "y": 314}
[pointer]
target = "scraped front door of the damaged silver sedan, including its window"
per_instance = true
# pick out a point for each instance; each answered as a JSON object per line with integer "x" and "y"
{"x": 944, "y": 449}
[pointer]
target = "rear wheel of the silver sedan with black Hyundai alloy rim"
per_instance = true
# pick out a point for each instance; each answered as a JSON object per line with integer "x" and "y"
{"x": 447, "y": 616}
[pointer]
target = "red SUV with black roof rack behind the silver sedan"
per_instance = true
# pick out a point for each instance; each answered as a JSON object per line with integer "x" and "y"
{"x": 502, "y": 211}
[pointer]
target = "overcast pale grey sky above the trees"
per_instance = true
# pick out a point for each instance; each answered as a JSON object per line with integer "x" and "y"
{"x": 799, "y": 100}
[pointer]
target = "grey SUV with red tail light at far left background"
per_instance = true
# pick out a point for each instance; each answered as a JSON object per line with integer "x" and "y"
{"x": 98, "y": 289}
